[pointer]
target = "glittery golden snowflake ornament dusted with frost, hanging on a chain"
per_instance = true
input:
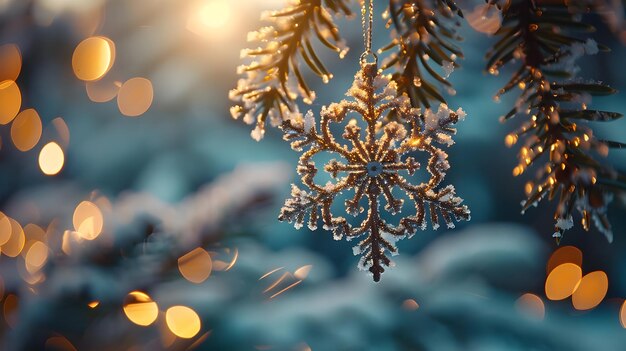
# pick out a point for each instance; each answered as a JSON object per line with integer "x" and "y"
{"x": 372, "y": 167}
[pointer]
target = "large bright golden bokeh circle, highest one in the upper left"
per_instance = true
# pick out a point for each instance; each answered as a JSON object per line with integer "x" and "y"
{"x": 93, "y": 58}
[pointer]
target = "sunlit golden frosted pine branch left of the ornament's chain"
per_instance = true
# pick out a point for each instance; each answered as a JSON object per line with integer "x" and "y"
{"x": 274, "y": 81}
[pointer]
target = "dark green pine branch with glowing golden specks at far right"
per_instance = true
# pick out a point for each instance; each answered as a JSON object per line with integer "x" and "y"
{"x": 543, "y": 37}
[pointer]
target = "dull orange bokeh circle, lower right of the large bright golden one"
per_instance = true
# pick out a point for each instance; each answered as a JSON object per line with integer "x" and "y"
{"x": 135, "y": 97}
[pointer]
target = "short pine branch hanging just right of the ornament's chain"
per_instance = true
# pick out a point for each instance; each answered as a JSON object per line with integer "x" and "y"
{"x": 426, "y": 32}
